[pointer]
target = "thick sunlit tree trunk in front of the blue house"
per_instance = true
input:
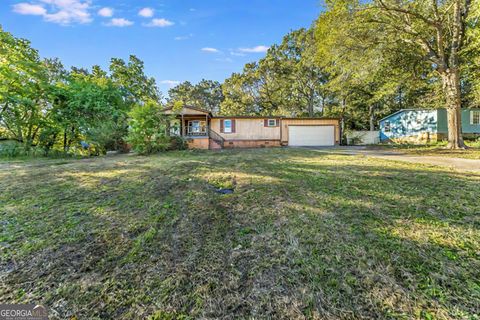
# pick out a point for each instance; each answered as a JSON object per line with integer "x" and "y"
{"x": 451, "y": 88}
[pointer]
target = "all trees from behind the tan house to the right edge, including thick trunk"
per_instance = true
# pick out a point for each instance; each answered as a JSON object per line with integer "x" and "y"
{"x": 362, "y": 60}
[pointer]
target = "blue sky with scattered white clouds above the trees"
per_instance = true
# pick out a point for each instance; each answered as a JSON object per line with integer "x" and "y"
{"x": 177, "y": 39}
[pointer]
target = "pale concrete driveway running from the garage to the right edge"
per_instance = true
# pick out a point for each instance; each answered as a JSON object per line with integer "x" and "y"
{"x": 454, "y": 163}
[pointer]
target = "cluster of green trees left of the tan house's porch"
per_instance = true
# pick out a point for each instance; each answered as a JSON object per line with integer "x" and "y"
{"x": 42, "y": 104}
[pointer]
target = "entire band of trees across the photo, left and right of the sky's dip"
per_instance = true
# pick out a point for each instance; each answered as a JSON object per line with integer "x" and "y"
{"x": 360, "y": 61}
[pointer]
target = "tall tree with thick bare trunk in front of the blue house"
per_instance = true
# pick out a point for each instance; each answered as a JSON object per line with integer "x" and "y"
{"x": 435, "y": 31}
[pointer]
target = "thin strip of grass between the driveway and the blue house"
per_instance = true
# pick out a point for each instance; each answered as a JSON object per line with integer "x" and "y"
{"x": 435, "y": 150}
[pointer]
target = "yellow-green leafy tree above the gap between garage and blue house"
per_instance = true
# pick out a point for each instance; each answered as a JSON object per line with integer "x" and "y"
{"x": 368, "y": 76}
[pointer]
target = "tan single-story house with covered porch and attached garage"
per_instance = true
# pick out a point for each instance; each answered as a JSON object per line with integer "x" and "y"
{"x": 205, "y": 131}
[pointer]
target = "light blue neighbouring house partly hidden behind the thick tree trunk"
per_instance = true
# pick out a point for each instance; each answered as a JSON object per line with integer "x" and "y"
{"x": 417, "y": 125}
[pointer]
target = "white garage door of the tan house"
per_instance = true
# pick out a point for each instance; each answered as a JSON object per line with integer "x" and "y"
{"x": 311, "y": 136}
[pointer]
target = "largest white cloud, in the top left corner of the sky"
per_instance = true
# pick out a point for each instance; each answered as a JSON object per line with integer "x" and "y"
{"x": 63, "y": 12}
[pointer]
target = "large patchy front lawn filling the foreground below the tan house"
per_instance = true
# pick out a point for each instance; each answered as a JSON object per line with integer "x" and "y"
{"x": 305, "y": 235}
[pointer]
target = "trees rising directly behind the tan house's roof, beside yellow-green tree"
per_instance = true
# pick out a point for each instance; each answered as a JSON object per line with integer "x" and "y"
{"x": 287, "y": 81}
